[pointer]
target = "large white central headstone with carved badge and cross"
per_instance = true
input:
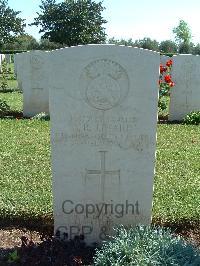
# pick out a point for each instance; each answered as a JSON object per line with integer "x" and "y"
{"x": 103, "y": 105}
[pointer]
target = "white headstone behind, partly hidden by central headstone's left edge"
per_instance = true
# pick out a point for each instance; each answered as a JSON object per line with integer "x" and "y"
{"x": 30, "y": 74}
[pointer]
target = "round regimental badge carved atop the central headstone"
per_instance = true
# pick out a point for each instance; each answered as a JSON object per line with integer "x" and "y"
{"x": 106, "y": 84}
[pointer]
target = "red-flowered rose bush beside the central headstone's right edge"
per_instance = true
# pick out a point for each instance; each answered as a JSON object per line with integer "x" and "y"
{"x": 165, "y": 79}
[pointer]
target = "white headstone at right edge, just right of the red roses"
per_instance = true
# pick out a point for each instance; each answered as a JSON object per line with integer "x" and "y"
{"x": 185, "y": 95}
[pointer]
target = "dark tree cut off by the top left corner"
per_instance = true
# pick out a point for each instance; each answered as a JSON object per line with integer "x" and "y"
{"x": 10, "y": 24}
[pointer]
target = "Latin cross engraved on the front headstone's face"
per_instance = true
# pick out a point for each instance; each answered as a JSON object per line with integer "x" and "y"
{"x": 103, "y": 172}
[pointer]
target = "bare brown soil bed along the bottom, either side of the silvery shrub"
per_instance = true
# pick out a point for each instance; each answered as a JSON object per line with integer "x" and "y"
{"x": 41, "y": 248}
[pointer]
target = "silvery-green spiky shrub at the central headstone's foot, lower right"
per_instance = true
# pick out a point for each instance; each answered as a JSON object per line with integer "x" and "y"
{"x": 145, "y": 245}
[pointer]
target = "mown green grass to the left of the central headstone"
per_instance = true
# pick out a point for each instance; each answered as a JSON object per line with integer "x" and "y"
{"x": 25, "y": 180}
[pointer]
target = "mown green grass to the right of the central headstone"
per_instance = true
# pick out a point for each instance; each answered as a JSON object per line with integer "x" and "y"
{"x": 177, "y": 180}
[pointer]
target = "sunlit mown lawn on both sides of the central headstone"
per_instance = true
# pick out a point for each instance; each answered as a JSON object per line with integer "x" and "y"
{"x": 25, "y": 179}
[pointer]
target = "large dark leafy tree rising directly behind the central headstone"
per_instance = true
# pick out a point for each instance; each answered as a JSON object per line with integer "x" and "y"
{"x": 71, "y": 22}
